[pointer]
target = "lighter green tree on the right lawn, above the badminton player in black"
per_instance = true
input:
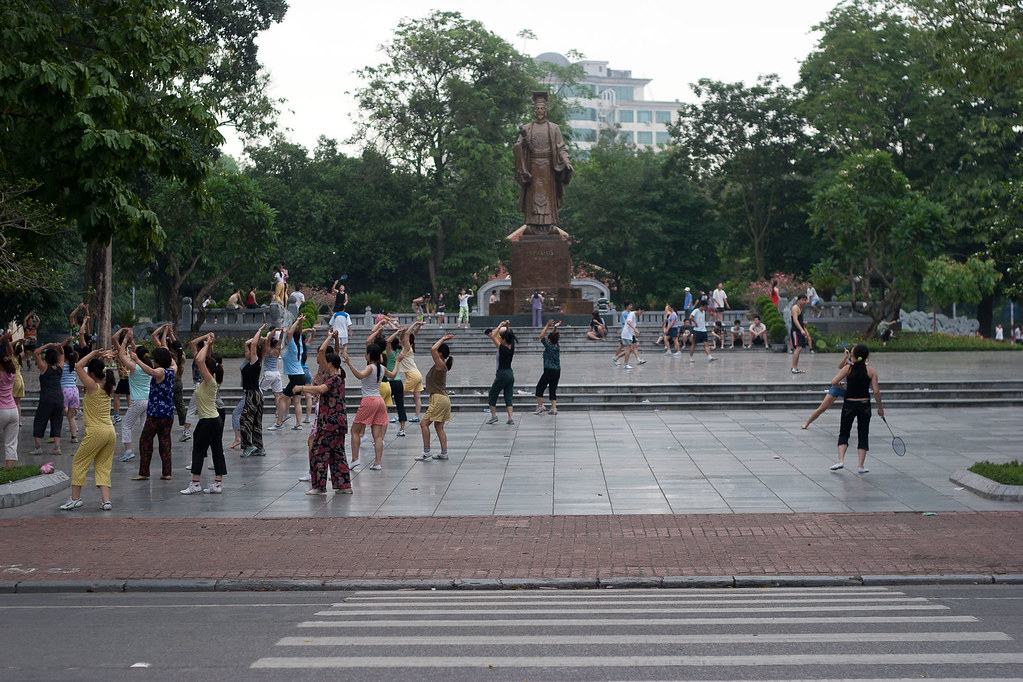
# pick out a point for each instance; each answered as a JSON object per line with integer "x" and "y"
{"x": 883, "y": 232}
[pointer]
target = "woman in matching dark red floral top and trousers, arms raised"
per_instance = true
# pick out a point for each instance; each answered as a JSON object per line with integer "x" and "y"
{"x": 328, "y": 450}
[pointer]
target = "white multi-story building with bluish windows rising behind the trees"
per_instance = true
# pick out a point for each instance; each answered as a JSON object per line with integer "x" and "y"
{"x": 609, "y": 98}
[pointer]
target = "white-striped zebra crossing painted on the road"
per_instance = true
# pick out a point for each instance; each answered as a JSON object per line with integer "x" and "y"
{"x": 780, "y": 633}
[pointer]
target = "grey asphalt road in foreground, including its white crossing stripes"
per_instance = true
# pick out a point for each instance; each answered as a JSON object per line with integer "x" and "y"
{"x": 702, "y": 634}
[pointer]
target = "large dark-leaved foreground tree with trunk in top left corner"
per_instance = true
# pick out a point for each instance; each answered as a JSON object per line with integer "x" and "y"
{"x": 92, "y": 99}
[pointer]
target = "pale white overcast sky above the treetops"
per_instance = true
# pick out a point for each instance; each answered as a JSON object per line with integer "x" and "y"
{"x": 314, "y": 55}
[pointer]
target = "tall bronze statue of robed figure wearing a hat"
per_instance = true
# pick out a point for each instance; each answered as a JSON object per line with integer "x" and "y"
{"x": 542, "y": 168}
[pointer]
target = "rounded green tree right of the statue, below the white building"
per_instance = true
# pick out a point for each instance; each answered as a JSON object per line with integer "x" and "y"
{"x": 637, "y": 221}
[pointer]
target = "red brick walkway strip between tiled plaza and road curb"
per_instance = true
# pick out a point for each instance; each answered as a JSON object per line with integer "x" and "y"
{"x": 474, "y": 548}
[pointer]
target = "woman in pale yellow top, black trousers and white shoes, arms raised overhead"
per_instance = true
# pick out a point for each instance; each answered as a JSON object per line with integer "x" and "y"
{"x": 210, "y": 429}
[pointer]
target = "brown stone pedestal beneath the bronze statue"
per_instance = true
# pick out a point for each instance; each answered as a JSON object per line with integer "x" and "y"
{"x": 542, "y": 262}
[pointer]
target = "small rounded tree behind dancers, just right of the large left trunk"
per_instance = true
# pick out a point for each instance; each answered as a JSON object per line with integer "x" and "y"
{"x": 233, "y": 230}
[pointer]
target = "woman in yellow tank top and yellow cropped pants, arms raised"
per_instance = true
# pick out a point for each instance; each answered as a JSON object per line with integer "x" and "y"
{"x": 98, "y": 446}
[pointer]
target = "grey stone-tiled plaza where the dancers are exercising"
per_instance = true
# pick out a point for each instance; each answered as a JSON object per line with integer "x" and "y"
{"x": 614, "y": 463}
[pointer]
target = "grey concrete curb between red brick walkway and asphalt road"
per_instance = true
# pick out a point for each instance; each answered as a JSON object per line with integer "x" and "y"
{"x": 495, "y": 584}
